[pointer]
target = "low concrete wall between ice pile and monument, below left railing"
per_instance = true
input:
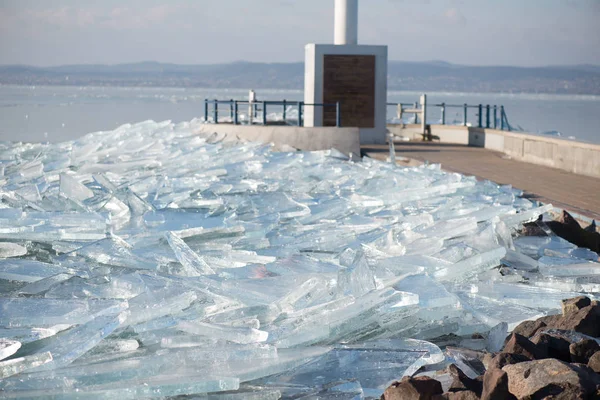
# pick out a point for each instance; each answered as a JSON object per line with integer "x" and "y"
{"x": 346, "y": 140}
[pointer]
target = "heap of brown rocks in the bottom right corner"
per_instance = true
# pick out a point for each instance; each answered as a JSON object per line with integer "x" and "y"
{"x": 553, "y": 357}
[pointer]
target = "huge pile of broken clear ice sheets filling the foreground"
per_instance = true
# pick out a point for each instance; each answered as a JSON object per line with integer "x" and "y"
{"x": 152, "y": 262}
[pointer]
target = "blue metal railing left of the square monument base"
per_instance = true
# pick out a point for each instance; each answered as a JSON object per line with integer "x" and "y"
{"x": 256, "y": 107}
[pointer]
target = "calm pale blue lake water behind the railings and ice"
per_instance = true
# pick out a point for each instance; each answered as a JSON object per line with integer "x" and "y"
{"x": 57, "y": 113}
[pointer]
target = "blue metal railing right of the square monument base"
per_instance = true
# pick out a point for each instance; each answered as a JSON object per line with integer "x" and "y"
{"x": 489, "y": 112}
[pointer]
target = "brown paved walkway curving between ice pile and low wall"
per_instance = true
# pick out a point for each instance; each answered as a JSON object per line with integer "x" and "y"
{"x": 576, "y": 193}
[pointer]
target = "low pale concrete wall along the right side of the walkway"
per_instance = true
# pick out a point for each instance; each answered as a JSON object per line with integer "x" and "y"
{"x": 576, "y": 157}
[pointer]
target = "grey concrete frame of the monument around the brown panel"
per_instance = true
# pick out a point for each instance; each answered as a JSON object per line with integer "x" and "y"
{"x": 313, "y": 85}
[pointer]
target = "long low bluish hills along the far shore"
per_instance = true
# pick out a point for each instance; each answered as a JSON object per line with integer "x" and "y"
{"x": 420, "y": 76}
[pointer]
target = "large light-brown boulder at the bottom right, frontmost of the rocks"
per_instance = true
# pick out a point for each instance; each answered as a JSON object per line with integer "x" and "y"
{"x": 550, "y": 377}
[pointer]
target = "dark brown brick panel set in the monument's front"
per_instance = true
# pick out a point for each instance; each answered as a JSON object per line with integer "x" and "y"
{"x": 349, "y": 79}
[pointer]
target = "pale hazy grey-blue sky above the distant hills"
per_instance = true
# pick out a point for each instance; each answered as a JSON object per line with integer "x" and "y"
{"x": 476, "y": 32}
